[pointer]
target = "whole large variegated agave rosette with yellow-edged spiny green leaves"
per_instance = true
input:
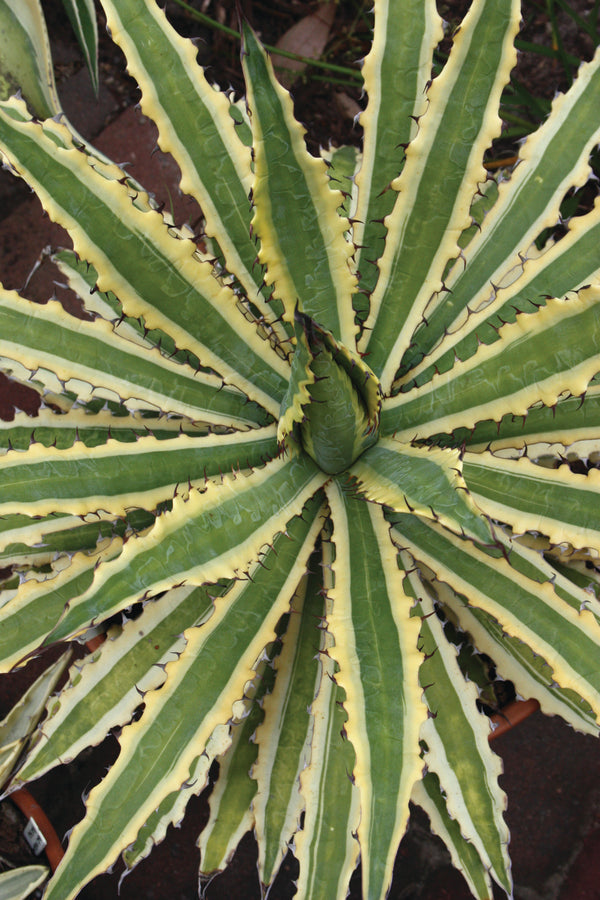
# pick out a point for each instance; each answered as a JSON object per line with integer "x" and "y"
{"x": 283, "y": 480}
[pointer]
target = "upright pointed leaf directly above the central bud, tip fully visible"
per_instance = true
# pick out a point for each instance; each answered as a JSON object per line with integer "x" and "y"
{"x": 296, "y": 219}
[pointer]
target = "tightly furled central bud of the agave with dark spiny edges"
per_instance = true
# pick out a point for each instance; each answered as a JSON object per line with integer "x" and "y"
{"x": 333, "y": 401}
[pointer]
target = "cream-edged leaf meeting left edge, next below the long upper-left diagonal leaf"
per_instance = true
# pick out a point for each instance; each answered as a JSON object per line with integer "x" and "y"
{"x": 38, "y": 335}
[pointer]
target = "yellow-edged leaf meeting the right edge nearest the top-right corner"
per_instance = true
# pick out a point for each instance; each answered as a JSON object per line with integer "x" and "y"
{"x": 551, "y": 162}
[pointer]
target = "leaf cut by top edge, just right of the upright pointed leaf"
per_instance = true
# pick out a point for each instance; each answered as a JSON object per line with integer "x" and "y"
{"x": 395, "y": 75}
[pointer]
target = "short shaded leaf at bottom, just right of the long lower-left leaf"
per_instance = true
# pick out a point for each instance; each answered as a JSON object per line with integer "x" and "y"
{"x": 231, "y": 799}
